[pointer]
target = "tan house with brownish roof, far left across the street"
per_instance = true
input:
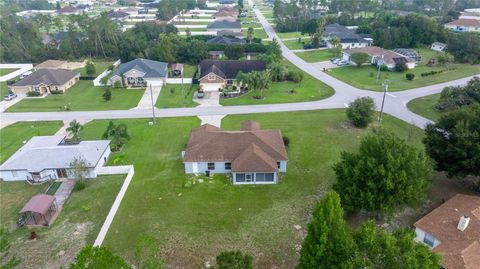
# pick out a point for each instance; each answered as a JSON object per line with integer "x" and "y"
{"x": 45, "y": 81}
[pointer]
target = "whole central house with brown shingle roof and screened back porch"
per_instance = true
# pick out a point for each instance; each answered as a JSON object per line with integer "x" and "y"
{"x": 251, "y": 155}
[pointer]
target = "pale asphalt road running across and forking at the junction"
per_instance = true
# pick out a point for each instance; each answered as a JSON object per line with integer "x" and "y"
{"x": 395, "y": 103}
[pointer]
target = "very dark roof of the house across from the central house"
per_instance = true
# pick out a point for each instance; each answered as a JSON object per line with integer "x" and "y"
{"x": 230, "y": 68}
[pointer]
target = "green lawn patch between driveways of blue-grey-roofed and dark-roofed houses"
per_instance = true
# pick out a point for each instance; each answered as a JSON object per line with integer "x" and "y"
{"x": 176, "y": 95}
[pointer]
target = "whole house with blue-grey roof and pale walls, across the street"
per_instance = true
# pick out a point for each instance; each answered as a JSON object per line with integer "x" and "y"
{"x": 139, "y": 72}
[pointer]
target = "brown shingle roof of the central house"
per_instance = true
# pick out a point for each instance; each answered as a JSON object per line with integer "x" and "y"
{"x": 248, "y": 150}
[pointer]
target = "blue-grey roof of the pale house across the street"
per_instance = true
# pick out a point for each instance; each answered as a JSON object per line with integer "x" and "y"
{"x": 152, "y": 69}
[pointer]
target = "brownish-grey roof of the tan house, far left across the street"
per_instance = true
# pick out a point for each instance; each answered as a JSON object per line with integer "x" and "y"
{"x": 47, "y": 77}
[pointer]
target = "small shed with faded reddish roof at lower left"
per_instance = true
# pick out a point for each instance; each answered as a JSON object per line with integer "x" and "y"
{"x": 40, "y": 210}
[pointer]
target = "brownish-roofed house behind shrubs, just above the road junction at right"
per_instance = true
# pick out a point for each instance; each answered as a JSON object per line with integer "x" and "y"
{"x": 379, "y": 56}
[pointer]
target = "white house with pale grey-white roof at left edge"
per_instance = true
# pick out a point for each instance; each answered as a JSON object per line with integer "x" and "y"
{"x": 44, "y": 158}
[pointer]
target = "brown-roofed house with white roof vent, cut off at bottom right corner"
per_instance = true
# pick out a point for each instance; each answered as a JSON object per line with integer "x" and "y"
{"x": 453, "y": 230}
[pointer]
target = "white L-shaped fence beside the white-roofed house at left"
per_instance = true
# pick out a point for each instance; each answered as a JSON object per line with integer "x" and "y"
{"x": 111, "y": 214}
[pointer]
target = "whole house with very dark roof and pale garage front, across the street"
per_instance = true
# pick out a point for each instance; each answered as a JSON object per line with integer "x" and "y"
{"x": 216, "y": 74}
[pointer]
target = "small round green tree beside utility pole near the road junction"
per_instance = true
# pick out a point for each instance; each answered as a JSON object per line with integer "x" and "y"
{"x": 360, "y": 112}
